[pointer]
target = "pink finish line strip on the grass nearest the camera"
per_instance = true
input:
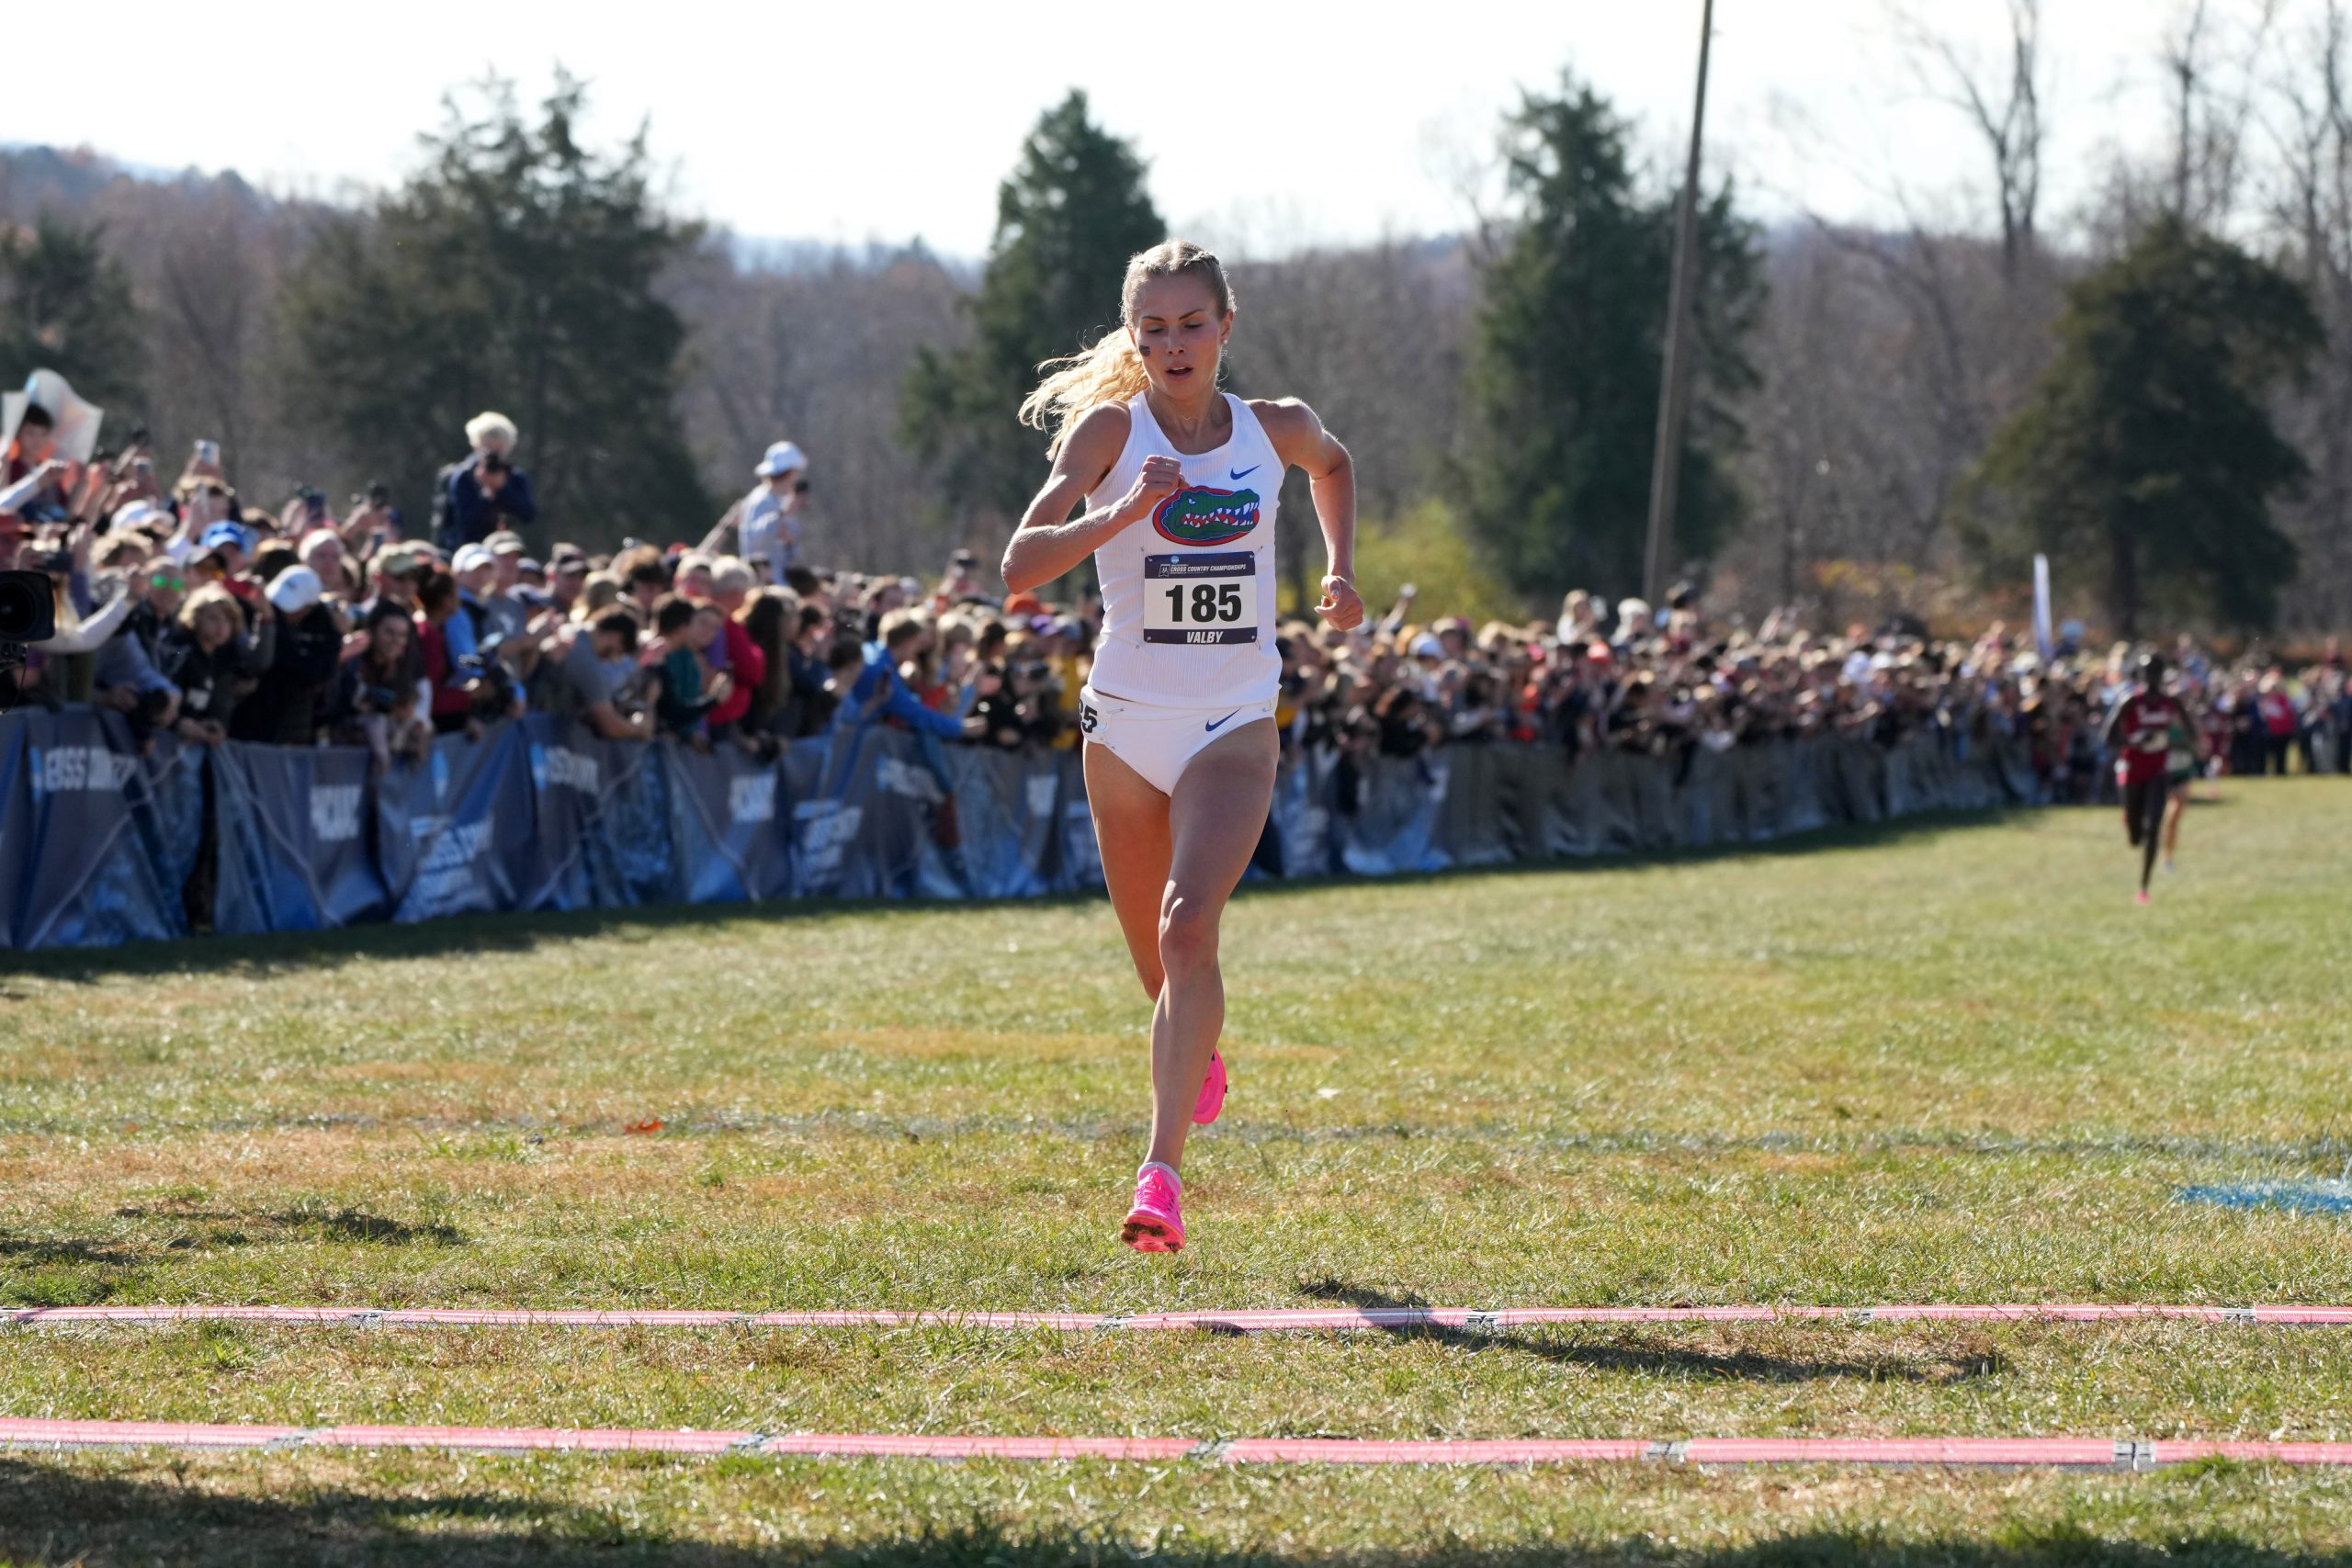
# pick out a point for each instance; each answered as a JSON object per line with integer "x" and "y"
{"x": 1993, "y": 1452}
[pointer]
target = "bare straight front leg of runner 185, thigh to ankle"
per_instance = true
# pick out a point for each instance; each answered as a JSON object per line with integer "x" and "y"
{"x": 1215, "y": 822}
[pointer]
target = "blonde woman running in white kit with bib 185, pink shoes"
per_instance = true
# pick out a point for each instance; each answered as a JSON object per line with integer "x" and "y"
{"x": 1180, "y": 485}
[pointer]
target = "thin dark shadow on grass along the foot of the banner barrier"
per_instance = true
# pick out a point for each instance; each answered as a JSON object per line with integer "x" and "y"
{"x": 479, "y": 934}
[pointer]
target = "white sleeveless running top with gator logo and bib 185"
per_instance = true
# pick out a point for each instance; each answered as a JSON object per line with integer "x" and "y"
{"x": 1189, "y": 594}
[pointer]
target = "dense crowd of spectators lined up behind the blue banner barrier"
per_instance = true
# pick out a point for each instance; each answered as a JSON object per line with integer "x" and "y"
{"x": 189, "y": 610}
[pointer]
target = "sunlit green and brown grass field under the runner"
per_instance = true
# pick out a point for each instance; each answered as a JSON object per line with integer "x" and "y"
{"x": 1939, "y": 1061}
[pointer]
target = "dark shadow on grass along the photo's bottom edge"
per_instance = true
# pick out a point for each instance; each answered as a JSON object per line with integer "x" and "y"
{"x": 55, "y": 1517}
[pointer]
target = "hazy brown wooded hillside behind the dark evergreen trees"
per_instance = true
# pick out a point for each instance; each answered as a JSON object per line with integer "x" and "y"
{"x": 1885, "y": 363}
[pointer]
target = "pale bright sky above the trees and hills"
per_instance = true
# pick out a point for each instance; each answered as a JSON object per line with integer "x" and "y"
{"x": 1269, "y": 126}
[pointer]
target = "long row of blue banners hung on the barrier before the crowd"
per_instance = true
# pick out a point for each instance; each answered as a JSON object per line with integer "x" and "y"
{"x": 107, "y": 843}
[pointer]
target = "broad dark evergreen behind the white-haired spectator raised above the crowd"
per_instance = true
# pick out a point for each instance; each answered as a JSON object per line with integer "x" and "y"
{"x": 516, "y": 272}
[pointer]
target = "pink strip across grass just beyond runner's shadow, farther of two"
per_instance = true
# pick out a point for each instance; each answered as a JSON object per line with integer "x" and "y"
{"x": 1274, "y": 1320}
